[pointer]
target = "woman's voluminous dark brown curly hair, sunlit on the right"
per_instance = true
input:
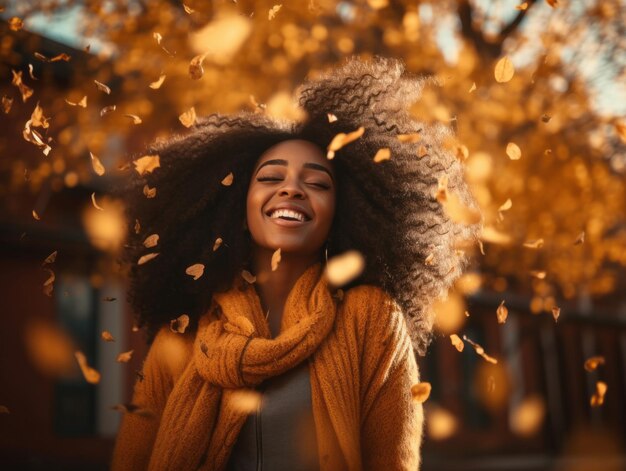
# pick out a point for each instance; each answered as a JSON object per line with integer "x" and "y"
{"x": 386, "y": 210}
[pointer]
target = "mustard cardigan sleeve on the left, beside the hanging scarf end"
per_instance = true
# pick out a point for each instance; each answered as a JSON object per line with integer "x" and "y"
{"x": 138, "y": 430}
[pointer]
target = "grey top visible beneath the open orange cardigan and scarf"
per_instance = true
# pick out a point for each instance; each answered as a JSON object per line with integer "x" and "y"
{"x": 281, "y": 434}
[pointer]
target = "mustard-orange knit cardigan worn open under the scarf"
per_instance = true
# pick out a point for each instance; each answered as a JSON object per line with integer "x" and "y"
{"x": 361, "y": 377}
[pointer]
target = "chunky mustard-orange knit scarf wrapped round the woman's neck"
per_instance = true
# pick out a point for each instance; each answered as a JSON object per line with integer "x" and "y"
{"x": 233, "y": 349}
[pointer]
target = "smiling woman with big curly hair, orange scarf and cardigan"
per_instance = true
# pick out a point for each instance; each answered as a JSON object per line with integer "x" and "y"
{"x": 333, "y": 368}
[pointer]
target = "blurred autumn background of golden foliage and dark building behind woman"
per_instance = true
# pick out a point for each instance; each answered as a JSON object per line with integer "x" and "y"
{"x": 536, "y": 92}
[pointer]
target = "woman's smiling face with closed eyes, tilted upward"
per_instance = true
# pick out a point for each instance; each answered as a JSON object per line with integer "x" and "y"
{"x": 291, "y": 198}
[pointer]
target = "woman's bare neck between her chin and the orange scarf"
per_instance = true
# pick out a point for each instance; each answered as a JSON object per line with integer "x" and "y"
{"x": 273, "y": 287}
